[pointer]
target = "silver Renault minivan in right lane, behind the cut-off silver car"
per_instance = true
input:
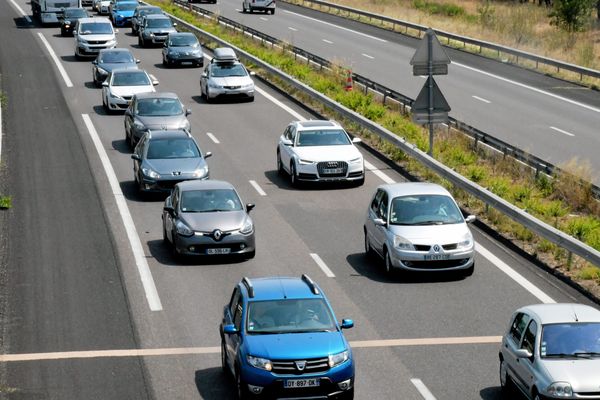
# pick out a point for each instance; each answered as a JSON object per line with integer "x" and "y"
{"x": 419, "y": 227}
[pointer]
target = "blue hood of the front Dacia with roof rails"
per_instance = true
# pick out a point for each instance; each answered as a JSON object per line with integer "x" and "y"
{"x": 295, "y": 346}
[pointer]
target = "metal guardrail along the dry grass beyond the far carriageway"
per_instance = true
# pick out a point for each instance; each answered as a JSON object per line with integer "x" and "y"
{"x": 582, "y": 71}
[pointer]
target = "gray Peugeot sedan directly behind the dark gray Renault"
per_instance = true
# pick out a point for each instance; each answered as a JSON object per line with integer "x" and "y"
{"x": 164, "y": 158}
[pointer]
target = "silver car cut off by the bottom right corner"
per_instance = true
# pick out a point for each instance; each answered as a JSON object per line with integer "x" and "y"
{"x": 552, "y": 351}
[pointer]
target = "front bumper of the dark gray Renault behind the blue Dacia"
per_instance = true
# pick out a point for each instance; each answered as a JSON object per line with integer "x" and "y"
{"x": 199, "y": 245}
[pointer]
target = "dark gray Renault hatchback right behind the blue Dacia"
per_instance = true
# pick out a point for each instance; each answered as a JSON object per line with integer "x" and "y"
{"x": 207, "y": 218}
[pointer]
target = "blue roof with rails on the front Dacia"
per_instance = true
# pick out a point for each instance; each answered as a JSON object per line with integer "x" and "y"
{"x": 281, "y": 288}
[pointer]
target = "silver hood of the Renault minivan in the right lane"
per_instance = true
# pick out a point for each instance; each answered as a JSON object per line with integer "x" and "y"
{"x": 431, "y": 234}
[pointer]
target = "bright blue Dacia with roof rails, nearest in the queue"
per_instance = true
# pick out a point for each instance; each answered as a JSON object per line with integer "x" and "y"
{"x": 280, "y": 339}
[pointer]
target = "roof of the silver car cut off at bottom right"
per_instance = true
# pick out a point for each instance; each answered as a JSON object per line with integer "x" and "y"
{"x": 563, "y": 312}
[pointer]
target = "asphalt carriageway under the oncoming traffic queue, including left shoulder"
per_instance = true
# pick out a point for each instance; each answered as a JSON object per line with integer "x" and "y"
{"x": 95, "y": 305}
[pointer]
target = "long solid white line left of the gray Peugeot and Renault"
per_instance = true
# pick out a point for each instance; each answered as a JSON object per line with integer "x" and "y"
{"x": 134, "y": 239}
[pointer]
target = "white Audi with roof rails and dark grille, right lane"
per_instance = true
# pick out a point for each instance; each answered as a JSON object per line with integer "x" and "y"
{"x": 319, "y": 151}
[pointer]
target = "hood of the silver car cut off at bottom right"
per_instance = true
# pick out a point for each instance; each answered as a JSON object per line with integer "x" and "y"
{"x": 582, "y": 374}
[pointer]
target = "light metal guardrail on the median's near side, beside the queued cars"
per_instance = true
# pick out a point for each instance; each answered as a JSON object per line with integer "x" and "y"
{"x": 521, "y": 217}
